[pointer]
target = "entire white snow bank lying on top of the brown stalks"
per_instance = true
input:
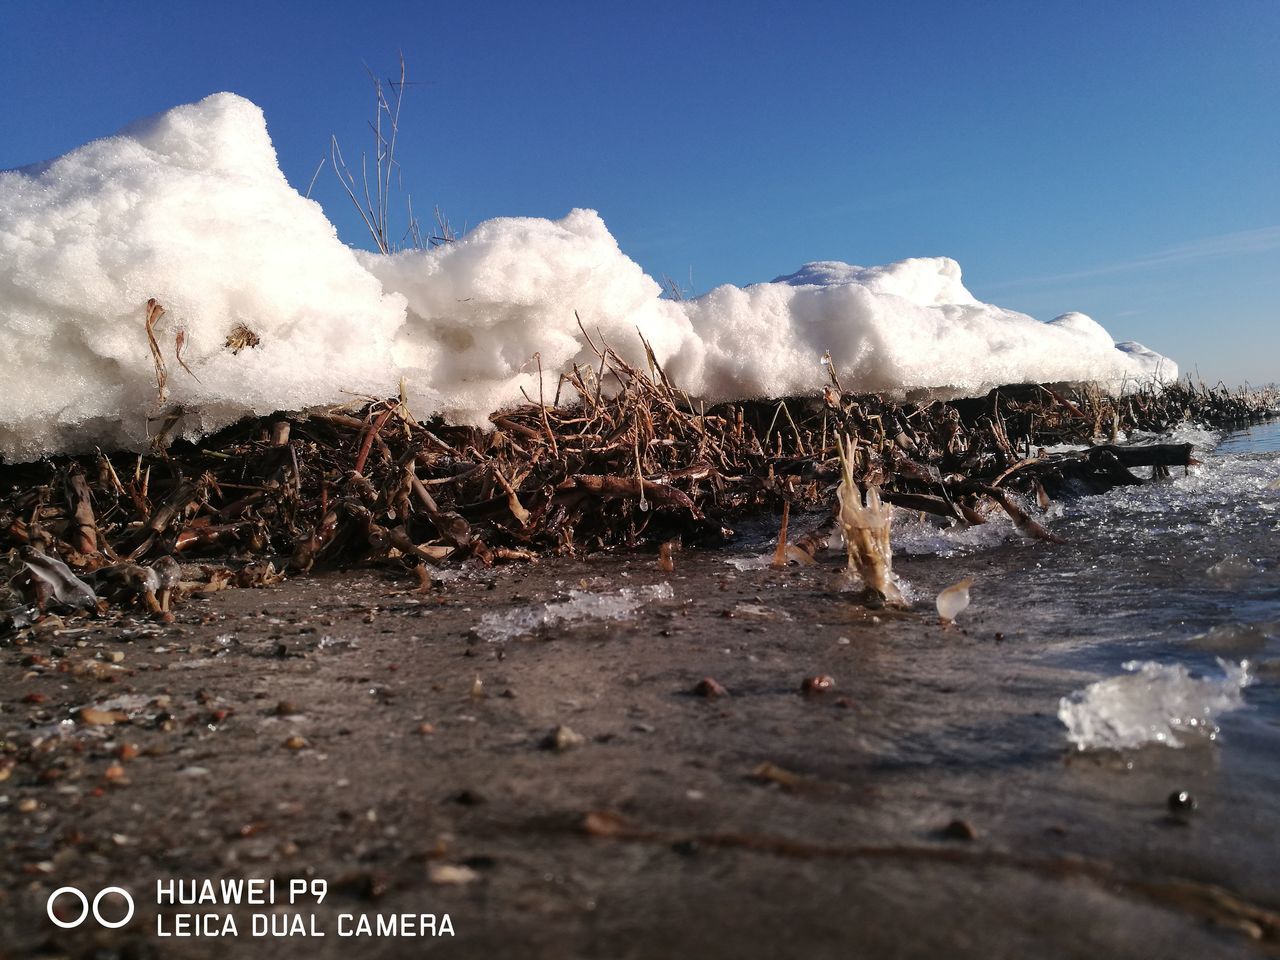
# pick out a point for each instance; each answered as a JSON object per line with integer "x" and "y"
{"x": 191, "y": 208}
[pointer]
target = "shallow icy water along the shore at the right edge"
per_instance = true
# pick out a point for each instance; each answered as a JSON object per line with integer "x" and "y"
{"x": 1178, "y": 573}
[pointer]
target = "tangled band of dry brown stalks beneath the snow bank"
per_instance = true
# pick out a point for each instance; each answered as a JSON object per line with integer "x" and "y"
{"x": 620, "y": 458}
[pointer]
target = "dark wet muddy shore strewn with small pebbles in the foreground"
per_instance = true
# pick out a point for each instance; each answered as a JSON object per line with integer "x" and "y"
{"x": 350, "y": 729}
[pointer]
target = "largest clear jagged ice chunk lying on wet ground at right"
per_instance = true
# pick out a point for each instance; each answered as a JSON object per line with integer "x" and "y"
{"x": 1151, "y": 705}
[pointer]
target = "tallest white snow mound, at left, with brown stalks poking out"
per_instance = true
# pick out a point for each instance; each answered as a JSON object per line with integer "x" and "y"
{"x": 189, "y": 208}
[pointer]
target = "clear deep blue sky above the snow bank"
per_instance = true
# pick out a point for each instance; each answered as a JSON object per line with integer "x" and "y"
{"x": 1122, "y": 159}
